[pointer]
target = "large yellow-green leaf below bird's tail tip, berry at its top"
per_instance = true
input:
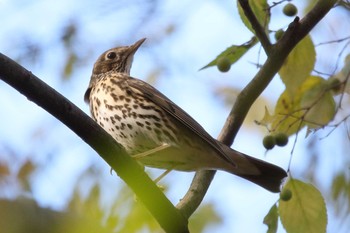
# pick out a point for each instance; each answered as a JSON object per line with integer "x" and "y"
{"x": 305, "y": 211}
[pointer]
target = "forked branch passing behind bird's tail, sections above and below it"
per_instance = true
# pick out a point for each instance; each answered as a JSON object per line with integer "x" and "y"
{"x": 276, "y": 56}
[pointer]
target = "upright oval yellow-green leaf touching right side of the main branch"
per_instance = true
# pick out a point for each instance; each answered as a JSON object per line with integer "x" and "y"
{"x": 298, "y": 65}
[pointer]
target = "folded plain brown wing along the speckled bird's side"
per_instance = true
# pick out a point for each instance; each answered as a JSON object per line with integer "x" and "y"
{"x": 175, "y": 111}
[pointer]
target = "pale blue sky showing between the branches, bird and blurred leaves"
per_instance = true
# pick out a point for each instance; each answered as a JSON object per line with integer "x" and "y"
{"x": 202, "y": 30}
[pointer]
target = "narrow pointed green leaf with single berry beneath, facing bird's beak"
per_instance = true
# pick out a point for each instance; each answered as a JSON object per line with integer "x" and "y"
{"x": 233, "y": 53}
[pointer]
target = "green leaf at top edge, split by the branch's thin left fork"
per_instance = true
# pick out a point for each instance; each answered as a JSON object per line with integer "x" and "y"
{"x": 261, "y": 12}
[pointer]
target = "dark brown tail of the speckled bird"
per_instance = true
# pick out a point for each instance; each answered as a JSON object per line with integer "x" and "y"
{"x": 264, "y": 174}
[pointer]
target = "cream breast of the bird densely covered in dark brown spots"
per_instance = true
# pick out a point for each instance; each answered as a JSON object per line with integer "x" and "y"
{"x": 131, "y": 119}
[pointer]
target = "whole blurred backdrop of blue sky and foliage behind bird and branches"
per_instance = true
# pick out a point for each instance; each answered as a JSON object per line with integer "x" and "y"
{"x": 49, "y": 172}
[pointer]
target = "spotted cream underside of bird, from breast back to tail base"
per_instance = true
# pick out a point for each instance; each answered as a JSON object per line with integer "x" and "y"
{"x": 141, "y": 128}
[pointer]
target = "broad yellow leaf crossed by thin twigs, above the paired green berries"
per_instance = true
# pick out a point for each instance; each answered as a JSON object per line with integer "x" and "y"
{"x": 312, "y": 105}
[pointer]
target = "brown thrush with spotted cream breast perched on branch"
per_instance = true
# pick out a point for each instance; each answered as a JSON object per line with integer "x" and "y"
{"x": 157, "y": 132}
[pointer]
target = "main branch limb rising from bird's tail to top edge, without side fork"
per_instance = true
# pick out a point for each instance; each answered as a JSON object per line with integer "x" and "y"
{"x": 296, "y": 31}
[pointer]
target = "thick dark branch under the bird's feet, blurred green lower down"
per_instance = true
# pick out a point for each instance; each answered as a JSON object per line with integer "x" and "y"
{"x": 127, "y": 168}
